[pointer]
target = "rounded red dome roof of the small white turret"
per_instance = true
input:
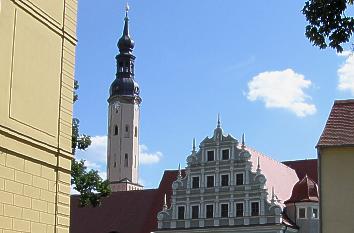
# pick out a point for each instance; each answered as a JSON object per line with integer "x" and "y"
{"x": 304, "y": 191}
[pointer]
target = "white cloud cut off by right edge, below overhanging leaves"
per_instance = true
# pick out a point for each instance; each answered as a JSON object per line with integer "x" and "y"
{"x": 346, "y": 73}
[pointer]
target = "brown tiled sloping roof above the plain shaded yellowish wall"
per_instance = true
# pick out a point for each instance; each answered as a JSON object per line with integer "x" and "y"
{"x": 339, "y": 129}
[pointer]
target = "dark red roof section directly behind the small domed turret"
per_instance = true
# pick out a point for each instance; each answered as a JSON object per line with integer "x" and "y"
{"x": 304, "y": 167}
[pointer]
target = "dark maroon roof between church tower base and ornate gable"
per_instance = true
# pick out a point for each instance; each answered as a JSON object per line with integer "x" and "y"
{"x": 123, "y": 212}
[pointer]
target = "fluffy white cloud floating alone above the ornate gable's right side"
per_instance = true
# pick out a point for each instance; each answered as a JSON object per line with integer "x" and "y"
{"x": 282, "y": 89}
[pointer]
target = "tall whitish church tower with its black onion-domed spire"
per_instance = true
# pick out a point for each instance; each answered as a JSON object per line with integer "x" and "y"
{"x": 123, "y": 119}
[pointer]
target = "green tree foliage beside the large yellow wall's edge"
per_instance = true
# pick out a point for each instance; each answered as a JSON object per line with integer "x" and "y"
{"x": 88, "y": 183}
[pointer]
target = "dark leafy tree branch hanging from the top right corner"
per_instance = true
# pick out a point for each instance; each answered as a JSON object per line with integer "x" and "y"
{"x": 328, "y": 25}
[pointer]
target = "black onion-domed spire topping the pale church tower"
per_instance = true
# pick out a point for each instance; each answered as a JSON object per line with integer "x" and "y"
{"x": 124, "y": 84}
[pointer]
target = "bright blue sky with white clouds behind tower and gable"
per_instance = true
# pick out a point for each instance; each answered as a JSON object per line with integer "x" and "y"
{"x": 247, "y": 60}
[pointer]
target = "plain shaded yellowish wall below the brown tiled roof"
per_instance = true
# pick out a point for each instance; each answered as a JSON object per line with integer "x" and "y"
{"x": 337, "y": 189}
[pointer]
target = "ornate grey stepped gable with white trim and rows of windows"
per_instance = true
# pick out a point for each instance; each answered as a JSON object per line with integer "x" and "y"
{"x": 220, "y": 189}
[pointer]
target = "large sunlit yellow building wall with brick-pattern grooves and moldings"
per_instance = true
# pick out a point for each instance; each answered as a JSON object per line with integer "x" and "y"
{"x": 37, "y": 60}
